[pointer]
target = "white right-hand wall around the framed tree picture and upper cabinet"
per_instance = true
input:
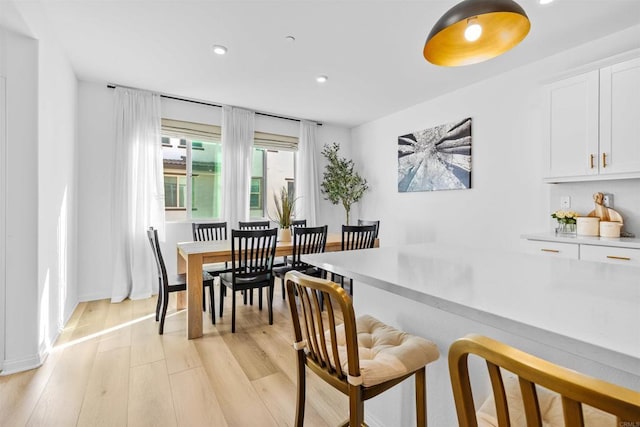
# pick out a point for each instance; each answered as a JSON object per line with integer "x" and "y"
{"x": 507, "y": 197}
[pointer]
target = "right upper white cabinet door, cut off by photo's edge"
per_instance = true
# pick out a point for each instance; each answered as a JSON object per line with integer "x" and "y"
{"x": 620, "y": 118}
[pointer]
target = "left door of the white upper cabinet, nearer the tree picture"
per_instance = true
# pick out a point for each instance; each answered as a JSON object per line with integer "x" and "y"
{"x": 573, "y": 130}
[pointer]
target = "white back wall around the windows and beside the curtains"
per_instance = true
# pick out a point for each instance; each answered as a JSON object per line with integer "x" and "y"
{"x": 96, "y": 135}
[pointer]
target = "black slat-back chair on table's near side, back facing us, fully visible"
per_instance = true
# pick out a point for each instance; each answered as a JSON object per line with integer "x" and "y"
{"x": 252, "y": 253}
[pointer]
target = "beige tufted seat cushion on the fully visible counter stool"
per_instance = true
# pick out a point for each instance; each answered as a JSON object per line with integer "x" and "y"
{"x": 384, "y": 351}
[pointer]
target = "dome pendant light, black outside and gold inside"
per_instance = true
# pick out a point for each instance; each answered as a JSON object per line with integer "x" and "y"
{"x": 474, "y": 31}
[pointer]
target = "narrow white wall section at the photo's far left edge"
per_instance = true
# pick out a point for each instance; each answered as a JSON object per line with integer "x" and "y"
{"x": 19, "y": 59}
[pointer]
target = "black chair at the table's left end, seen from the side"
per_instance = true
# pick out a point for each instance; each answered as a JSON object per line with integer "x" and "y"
{"x": 165, "y": 286}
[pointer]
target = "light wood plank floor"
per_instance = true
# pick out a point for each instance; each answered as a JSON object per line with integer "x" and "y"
{"x": 111, "y": 368}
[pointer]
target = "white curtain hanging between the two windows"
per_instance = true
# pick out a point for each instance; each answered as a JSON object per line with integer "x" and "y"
{"x": 237, "y": 152}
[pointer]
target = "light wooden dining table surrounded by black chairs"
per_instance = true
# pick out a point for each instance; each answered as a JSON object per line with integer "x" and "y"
{"x": 193, "y": 255}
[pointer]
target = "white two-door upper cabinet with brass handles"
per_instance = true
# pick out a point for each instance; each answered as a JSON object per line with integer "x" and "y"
{"x": 594, "y": 125}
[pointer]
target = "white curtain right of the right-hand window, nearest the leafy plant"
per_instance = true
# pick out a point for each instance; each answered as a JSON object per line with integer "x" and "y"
{"x": 307, "y": 185}
